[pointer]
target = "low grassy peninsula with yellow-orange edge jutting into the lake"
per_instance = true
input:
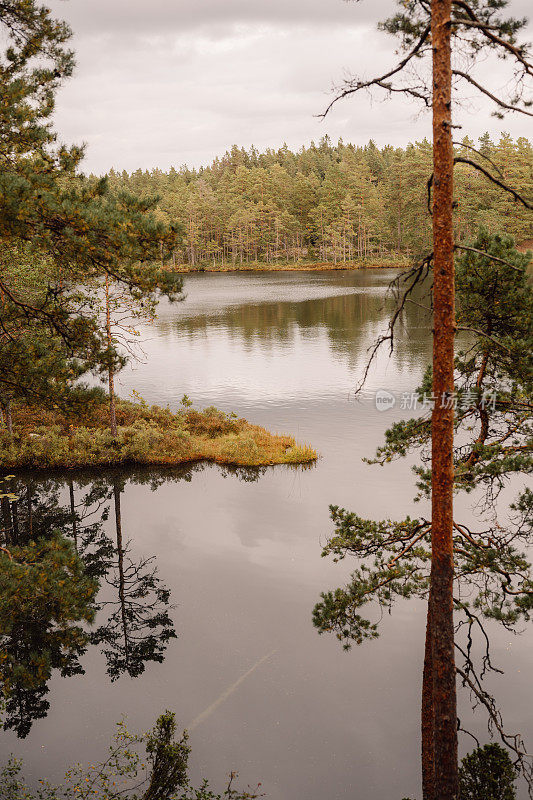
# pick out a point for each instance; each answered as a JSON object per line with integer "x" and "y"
{"x": 146, "y": 435}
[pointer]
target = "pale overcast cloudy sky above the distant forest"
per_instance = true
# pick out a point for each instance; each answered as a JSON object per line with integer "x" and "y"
{"x": 171, "y": 82}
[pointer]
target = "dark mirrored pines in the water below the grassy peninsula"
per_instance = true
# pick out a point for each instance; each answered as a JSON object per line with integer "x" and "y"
{"x": 62, "y": 572}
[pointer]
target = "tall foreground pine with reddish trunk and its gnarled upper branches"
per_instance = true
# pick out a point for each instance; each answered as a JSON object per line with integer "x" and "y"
{"x": 436, "y": 28}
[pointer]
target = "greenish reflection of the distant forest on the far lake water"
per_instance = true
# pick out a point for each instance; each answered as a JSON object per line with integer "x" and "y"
{"x": 349, "y": 308}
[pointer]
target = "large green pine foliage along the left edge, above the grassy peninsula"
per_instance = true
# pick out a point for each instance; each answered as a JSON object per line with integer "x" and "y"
{"x": 60, "y": 232}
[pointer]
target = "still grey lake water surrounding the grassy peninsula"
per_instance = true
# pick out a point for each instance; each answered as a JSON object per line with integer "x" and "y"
{"x": 262, "y": 693}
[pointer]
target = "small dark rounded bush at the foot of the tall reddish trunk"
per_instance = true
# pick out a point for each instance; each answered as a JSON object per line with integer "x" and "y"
{"x": 488, "y": 774}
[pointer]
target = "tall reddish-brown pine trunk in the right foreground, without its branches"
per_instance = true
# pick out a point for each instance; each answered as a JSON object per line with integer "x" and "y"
{"x": 442, "y": 568}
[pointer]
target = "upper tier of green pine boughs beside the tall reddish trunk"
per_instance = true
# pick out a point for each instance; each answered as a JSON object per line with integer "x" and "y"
{"x": 493, "y": 376}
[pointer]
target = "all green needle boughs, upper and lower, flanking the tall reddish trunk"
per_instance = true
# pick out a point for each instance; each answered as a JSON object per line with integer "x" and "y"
{"x": 493, "y": 442}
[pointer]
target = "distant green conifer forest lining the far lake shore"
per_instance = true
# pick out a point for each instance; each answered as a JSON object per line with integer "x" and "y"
{"x": 331, "y": 202}
